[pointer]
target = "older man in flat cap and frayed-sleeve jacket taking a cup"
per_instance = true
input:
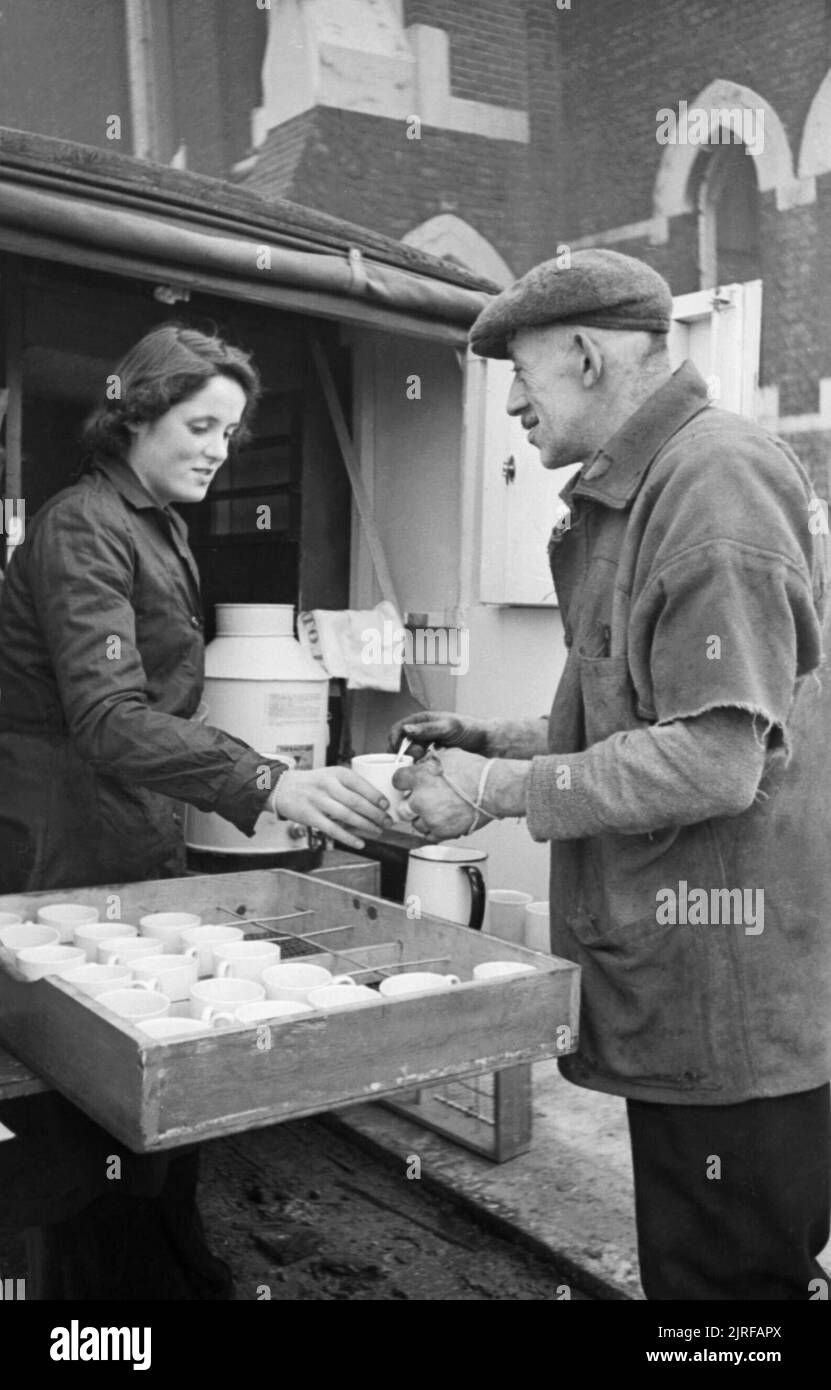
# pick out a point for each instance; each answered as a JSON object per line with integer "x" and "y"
{"x": 683, "y": 779}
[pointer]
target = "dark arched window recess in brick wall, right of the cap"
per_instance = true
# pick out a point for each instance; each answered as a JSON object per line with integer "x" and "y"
{"x": 729, "y": 218}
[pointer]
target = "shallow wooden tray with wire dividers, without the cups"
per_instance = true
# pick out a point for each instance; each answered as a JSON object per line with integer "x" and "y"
{"x": 156, "y": 1096}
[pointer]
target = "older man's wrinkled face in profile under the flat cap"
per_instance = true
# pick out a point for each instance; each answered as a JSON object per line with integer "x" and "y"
{"x": 548, "y": 394}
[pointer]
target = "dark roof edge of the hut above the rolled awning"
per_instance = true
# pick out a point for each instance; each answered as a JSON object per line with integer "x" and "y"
{"x": 211, "y": 202}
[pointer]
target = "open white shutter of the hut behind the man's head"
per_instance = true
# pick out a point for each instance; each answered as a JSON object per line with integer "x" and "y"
{"x": 718, "y": 329}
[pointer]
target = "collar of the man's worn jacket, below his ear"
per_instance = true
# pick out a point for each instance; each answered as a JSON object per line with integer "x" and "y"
{"x": 615, "y": 473}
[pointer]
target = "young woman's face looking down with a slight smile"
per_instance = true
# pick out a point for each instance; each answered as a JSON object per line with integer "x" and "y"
{"x": 179, "y": 455}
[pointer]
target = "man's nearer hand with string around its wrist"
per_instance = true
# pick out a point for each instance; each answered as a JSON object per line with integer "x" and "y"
{"x": 436, "y": 810}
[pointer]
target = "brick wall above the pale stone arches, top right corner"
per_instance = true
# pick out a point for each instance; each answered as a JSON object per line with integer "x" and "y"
{"x": 625, "y": 62}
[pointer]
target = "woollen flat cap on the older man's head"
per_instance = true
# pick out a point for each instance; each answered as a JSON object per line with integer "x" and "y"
{"x": 597, "y": 288}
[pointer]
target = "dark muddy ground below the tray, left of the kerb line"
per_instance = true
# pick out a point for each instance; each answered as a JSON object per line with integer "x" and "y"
{"x": 302, "y": 1214}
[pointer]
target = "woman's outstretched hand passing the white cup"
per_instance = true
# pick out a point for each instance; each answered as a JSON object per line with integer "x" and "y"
{"x": 333, "y": 800}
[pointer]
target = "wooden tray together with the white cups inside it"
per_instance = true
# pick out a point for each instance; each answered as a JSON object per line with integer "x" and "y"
{"x": 223, "y": 1003}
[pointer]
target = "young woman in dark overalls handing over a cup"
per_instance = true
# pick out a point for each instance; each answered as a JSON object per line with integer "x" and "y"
{"x": 101, "y": 678}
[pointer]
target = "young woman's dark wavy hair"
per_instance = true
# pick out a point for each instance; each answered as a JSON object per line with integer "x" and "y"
{"x": 167, "y": 366}
